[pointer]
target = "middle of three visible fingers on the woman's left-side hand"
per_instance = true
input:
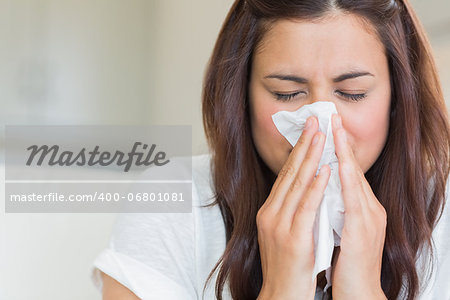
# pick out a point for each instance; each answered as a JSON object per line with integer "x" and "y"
{"x": 304, "y": 177}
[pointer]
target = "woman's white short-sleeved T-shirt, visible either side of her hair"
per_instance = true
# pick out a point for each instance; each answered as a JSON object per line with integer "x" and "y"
{"x": 169, "y": 255}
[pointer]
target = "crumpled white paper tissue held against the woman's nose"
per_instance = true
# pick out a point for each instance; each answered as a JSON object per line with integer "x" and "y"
{"x": 330, "y": 217}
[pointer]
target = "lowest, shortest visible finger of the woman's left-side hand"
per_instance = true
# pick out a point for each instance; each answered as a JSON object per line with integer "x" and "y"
{"x": 305, "y": 212}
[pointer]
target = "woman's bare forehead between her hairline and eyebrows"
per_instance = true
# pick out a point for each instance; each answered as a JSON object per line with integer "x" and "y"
{"x": 333, "y": 43}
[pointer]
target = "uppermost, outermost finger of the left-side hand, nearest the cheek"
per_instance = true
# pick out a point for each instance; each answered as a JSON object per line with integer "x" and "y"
{"x": 291, "y": 166}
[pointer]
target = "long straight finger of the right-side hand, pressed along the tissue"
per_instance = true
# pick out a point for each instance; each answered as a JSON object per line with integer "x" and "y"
{"x": 353, "y": 192}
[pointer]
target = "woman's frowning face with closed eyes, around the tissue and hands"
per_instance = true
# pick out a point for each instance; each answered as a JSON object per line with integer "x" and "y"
{"x": 303, "y": 62}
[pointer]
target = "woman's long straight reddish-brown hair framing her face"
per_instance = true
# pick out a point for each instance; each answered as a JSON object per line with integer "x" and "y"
{"x": 416, "y": 152}
